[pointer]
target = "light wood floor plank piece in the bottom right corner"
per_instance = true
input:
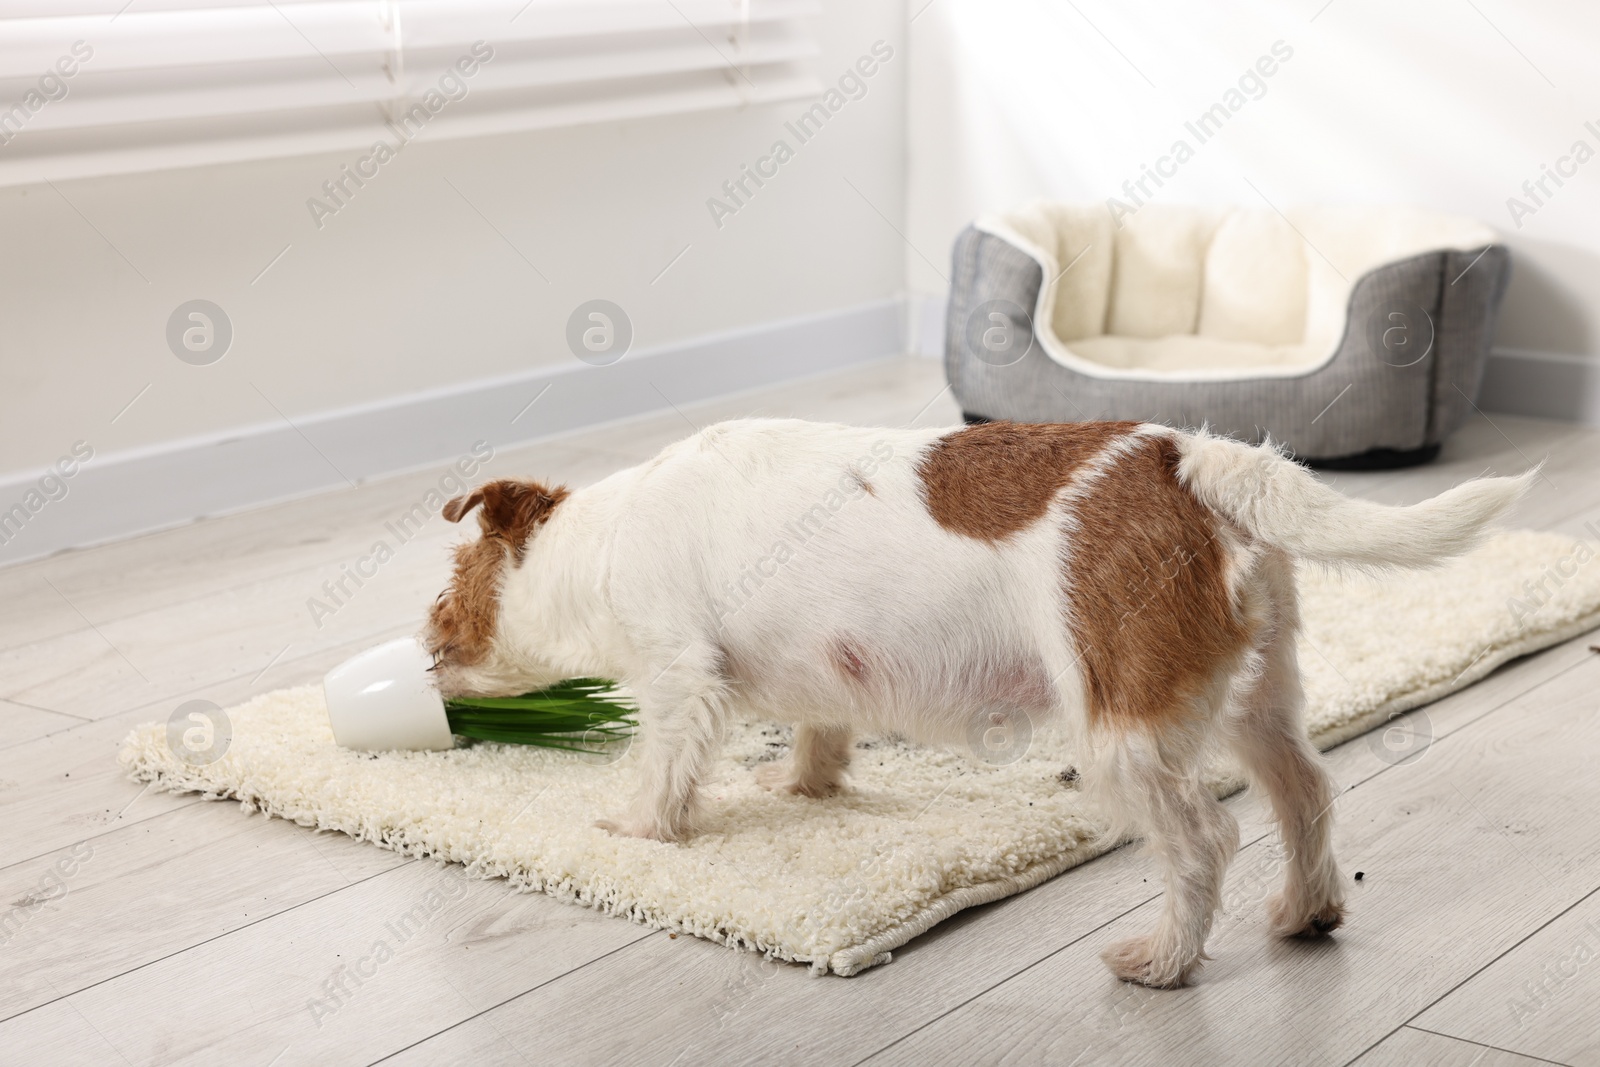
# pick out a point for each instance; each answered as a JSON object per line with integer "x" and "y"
{"x": 1538, "y": 999}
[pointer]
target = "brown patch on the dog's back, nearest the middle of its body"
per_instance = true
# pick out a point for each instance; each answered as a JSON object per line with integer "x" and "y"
{"x": 994, "y": 479}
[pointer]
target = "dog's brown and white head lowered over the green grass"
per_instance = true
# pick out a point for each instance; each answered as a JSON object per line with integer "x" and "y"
{"x": 465, "y": 633}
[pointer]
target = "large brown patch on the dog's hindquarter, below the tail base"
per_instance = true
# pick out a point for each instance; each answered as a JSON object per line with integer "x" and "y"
{"x": 1148, "y": 596}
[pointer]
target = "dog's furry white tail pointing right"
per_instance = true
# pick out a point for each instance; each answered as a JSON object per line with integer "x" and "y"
{"x": 1284, "y": 505}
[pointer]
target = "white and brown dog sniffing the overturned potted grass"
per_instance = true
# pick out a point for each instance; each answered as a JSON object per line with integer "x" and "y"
{"x": 1132, "y": 581}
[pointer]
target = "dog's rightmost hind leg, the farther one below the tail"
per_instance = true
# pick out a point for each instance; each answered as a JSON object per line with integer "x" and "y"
{"x": 1268, "y": 737}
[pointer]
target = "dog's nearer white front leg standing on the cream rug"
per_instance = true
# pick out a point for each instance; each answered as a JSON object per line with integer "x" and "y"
{"x": 682, "y": 724}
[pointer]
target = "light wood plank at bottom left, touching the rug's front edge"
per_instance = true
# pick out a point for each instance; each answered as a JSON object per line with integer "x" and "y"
{"x": 266, "y": 991}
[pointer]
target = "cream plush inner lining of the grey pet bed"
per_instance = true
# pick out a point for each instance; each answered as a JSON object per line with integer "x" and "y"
{"x": 1186, "y": 289}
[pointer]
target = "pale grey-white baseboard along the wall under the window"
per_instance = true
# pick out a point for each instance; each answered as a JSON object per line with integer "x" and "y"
{"x": 119, "y": 495}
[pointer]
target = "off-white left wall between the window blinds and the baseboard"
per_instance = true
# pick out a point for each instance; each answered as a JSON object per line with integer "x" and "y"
{"x": 409, "y": 289}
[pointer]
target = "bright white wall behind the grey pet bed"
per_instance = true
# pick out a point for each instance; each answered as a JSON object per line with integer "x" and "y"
{"x": 1434, "y": 103}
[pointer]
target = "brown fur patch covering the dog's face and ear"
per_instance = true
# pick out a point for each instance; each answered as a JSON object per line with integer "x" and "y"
{"x": 462, "y": 625}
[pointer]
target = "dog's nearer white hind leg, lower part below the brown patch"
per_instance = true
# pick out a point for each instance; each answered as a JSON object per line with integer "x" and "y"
{"x": 1153, "y": 783}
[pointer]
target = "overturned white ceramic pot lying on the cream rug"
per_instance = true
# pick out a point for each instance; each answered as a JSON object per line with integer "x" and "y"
{"x": 385, "y": 700}
